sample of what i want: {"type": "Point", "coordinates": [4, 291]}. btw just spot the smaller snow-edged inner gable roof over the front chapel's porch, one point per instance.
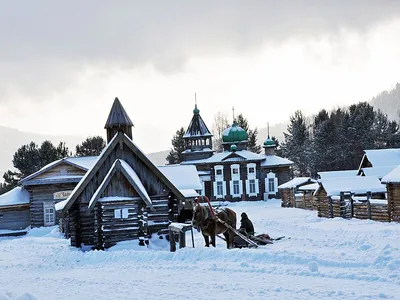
{"type": "Point", "coordinates": [130, 174]}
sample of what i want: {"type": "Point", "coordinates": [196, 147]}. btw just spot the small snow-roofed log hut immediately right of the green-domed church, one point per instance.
{"type": "Point", "coordinates": [289, 191]}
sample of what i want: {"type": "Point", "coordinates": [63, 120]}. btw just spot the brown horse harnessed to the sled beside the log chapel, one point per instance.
{"type": "Point", "coordinates": [204, 220]}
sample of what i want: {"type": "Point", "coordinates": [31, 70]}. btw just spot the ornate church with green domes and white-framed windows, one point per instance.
{"type": "Point", "coordinates": [236, 173]}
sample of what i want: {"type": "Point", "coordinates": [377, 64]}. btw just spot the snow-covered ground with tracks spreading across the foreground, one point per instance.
{"type": "Point", "coordinates": [323, 259]}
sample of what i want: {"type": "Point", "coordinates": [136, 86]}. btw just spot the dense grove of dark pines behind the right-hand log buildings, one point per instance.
{"type": "Point", "coordinates": [335, 140]}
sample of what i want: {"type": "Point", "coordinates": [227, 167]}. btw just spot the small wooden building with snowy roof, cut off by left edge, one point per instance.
{"type": "Point", "coordinates": [14, 212]}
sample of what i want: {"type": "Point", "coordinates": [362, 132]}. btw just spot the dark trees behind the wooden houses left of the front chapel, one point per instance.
{"type": "Point", "coordinates": [31, 157]}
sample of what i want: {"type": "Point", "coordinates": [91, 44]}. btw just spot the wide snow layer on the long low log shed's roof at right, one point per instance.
{"type": "Point", "coordinates": [355, 185]}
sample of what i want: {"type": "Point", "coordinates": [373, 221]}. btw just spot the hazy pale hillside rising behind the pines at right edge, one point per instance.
{"type": "Point", "coordinates": [389, 103]}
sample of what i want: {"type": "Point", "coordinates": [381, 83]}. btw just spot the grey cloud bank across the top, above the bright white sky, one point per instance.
{"type": "Point", "coordinates": [44, 43]}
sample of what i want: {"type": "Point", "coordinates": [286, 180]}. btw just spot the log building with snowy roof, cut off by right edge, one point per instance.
{"type": "Point", "coordinates": [392, 181]}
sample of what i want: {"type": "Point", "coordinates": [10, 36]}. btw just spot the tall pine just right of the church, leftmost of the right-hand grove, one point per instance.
{"type": "Point", "coordinates": [296, 143]}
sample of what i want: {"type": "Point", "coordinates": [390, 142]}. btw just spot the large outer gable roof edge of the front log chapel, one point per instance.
{"type": "Point", "coordinates": [117, 139]}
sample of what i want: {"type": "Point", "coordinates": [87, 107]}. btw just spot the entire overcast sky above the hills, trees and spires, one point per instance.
{"type": "Point", "coordinates": [62, 64]}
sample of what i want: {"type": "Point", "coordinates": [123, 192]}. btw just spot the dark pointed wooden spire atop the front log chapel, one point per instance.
{"type": "Point", "coordinates": [118, 121]}
